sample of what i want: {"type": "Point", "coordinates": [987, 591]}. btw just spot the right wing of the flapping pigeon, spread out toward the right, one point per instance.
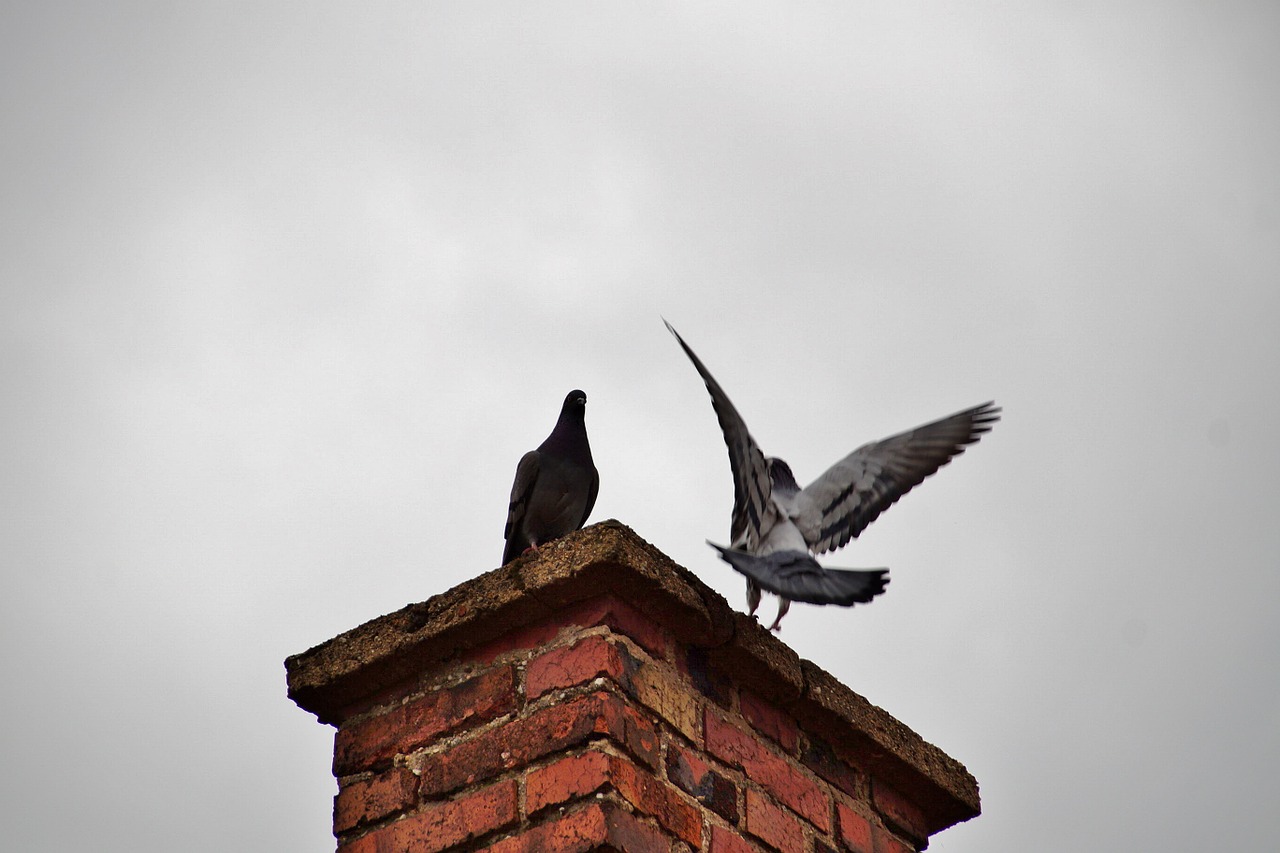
{"type": "Point", "coordinates": [853, 492]}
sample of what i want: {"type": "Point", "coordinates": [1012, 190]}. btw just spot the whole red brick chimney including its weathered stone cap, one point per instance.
{"type": "Point", "coordinates": [601, 697]}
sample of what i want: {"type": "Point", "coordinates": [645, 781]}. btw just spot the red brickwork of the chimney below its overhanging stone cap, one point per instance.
{"type": "Point", "coordinates": [597, 727]}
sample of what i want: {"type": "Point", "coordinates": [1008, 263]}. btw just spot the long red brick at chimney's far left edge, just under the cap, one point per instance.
{"type": "Point", "coordinates": [373, 742]}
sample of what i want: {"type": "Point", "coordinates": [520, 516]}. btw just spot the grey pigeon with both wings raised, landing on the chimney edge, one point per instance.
{"type": "Point", "coordinates": [778, 527]}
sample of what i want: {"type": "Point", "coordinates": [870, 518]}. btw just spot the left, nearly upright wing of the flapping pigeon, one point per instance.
{"type": "Point", "coordinates": [753, 509]}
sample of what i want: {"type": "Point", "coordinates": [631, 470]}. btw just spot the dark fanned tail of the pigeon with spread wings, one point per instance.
{"type": "Point", "coordinates": [797, 576]}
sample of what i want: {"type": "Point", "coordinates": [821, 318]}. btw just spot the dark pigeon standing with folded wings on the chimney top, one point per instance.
{"type": "Point", "coordinates": [556, 485]}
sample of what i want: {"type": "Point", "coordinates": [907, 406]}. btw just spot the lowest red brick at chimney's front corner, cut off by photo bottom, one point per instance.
{"type": "Point", "coordinates": [595, 827]}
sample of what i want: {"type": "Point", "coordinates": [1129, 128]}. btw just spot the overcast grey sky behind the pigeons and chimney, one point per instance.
{"type": "Point", "coordinates": [289, 289]}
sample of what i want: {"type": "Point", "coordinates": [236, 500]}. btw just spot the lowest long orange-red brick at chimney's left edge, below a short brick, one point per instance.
{"type": "Point", "coordinates": [444, 825]}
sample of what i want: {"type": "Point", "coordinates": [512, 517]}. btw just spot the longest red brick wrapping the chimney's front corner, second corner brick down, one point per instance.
{"type": "Point", "coordinates": [547, 731]}
